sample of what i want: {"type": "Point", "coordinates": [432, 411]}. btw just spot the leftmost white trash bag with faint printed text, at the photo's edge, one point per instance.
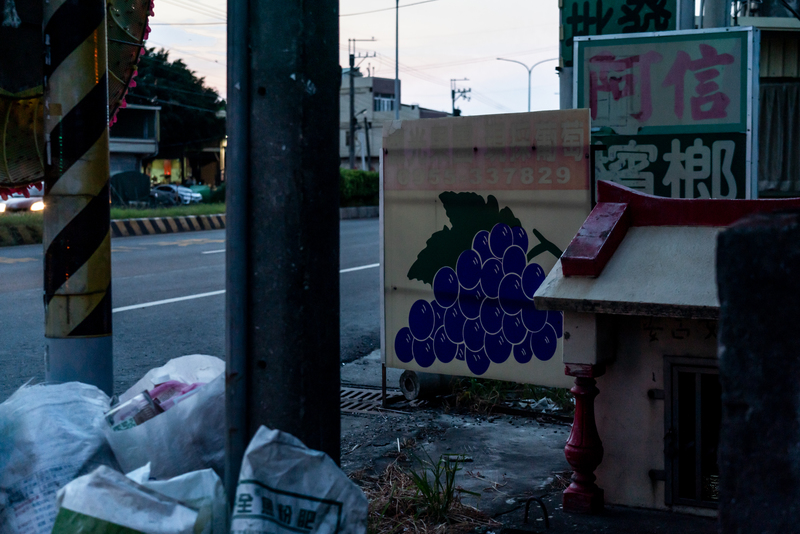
{"type": "Point", "coordinates": [49, 434]}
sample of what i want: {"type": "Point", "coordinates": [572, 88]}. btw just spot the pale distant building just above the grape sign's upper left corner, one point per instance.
{"type": "Point", "coordinates": [374, 101]}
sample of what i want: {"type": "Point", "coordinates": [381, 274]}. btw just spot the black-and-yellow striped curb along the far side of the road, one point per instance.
{"type": "Point", "coordinates": [29, 235]}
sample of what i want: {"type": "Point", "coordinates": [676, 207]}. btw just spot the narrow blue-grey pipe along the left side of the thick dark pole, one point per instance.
{"type": "Point", "coordinates": [237, 244]}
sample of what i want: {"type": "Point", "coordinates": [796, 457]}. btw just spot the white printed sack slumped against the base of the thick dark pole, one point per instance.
{"type": "Point", "coordinates": [285, 487]}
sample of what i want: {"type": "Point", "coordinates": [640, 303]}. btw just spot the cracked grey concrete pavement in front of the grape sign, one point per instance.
{"type": "Point", "coordinates": [511, 458]}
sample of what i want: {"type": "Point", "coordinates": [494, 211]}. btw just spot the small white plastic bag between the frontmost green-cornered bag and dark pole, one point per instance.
{"type": "Point", "coordinates": [200, 490]}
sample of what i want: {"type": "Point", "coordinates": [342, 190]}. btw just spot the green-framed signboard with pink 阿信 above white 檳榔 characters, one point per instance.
{"type": "Point", "coordinates": [662, 103]}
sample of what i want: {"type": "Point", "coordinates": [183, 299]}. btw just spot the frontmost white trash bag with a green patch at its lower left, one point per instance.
{"type": "Point", "coordinates": [108, 502]}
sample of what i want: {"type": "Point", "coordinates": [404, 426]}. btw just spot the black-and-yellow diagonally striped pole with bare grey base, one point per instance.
{"type": "Point", "coordinates": [77, 270]}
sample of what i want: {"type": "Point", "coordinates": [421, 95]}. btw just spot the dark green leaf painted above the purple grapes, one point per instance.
{"type": "Point", "coordinates": [469, 213]}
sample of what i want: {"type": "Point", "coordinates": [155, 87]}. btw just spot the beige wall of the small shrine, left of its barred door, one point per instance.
{"type": "Point", "coordinates": [630, 424]}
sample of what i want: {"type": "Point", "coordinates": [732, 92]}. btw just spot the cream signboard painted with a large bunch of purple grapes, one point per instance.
{"type": "Point", "coordinates": [474, 212]}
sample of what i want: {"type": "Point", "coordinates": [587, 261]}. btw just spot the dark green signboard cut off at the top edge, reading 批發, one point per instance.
{"type": "Point", "coordinates": [595, 17]}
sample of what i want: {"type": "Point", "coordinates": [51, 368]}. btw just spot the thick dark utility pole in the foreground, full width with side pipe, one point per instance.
{"type": "Point", "coordinates": [282, 239]}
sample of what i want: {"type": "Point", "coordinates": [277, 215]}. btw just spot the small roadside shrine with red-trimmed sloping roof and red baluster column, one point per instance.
{"type": "Point", "coordinates": [638, 289]}
